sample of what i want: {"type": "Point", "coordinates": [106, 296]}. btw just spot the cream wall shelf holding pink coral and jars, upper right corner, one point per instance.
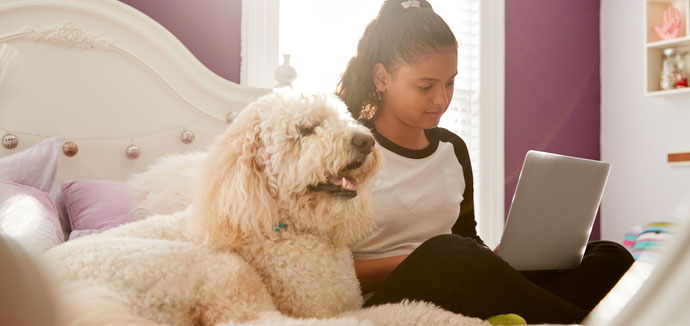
{"type": "Point", "coordinates": [655, 45]}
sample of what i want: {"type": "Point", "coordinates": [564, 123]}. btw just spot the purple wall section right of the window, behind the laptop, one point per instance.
{"type": "Point", "coordinates": [552, 97]}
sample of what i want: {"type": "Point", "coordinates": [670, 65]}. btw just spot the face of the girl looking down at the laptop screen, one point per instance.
{"type": "Point", "coordinates": [417, 94]}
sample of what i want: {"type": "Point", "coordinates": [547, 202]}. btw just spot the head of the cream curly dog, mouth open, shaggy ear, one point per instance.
{"type": "Point", "coordinates": [288, 165]}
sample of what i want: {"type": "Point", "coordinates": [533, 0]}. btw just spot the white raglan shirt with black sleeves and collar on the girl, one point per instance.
{"type": "Point", "coordinates": [419, 194]}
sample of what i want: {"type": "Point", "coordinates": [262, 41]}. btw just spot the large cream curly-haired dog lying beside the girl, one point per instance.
{"type": "Point", "coordinates": [278, 198]}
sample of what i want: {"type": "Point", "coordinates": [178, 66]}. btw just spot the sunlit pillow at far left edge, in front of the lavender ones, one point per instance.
{"type": "Point", "coordinates": [28, 216]}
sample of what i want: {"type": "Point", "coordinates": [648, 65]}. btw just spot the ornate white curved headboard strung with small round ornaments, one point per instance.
{"type": "Point", "coordinates": [105, 76]}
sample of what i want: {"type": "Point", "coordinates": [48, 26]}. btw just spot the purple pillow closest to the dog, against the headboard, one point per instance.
{"type": "Point", "coordinates": [96, 205]}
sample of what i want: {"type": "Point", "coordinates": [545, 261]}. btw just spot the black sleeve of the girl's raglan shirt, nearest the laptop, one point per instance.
{"type": "Point", "coordinates": [465, 225]}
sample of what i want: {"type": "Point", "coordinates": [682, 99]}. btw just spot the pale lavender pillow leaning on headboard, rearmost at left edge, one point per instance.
{"type": "Point", "coordinates": [35, 166]}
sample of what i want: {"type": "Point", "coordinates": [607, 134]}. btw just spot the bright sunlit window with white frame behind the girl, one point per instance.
{"type": "Point", "coordinates": [321, 37]}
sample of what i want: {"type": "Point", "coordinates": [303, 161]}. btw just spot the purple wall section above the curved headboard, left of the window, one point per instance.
{"type": "Point", "coordinates": [210, 29]}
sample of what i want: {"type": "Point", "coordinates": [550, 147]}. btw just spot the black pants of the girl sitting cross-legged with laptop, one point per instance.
{"type": "Point", "coordinates": [460, 275]}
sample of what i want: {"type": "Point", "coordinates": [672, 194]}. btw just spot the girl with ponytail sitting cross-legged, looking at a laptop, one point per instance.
{"type": "Point", "coordinates": [426, 246]}
